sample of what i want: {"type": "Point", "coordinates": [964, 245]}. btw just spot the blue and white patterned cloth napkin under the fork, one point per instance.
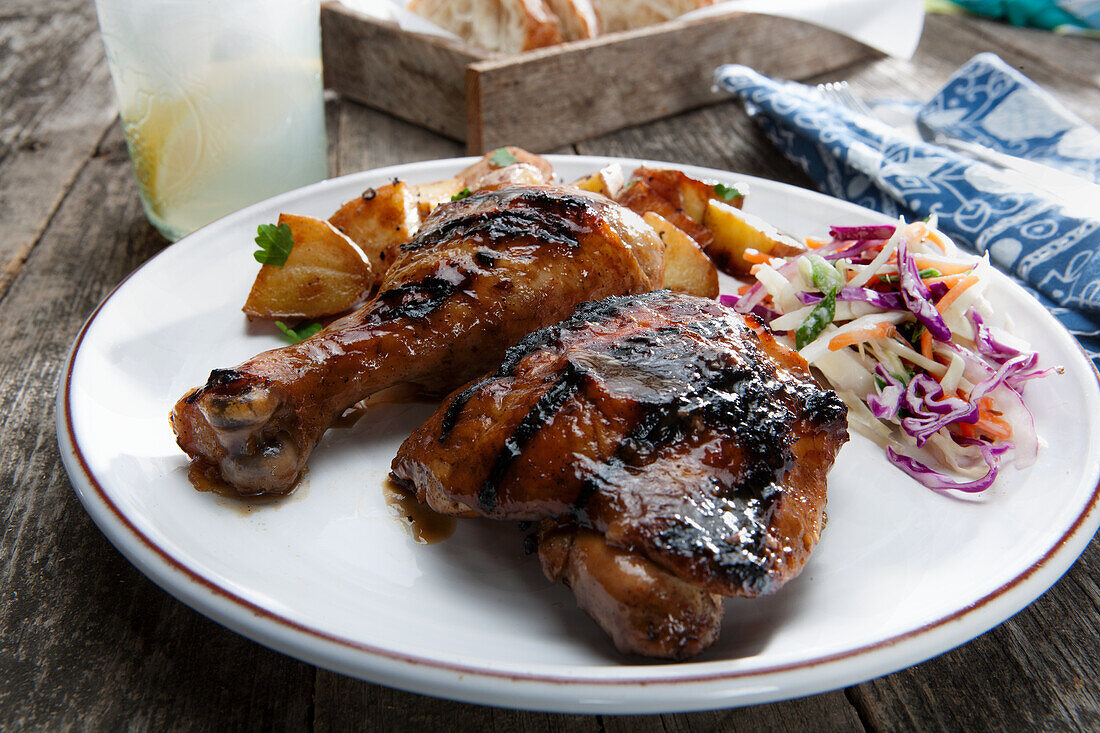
{"type": "Point", "coordinates": [1051, 249]}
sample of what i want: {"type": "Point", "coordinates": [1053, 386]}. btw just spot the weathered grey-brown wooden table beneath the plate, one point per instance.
{"type": "Point", "coordinates": [87, 641]}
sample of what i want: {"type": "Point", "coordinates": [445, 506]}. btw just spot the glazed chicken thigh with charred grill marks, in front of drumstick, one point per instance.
{"type": "Point", "coordinates": [674, 451]}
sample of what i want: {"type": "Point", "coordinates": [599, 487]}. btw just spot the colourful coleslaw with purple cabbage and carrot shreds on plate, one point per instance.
{"type": "Point", "coordinates": [896, 320]}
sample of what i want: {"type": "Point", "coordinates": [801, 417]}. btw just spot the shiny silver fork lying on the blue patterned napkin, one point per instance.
{"type": "Point", "coordinates": [1073, 191]}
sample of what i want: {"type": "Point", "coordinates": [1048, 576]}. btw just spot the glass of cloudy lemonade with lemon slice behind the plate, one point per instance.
{"type": "Point", "coordinates": [222, 102]}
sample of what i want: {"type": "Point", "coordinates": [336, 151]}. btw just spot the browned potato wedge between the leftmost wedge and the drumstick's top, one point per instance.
{"type": "Point", "coordinates": [380, 222]}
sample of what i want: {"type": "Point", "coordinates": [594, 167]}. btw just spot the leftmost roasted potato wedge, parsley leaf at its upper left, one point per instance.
{"type": "Point", "coordinates": [325, 275]}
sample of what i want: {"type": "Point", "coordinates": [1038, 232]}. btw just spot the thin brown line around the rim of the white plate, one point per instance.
{"type": "Point", "coordinates": [289, 623]}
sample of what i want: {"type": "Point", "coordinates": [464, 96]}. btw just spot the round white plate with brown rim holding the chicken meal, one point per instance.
{"type": "Point", "coordinates": [333, 577]}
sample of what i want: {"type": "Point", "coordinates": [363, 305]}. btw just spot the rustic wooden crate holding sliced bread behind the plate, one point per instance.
{"type": "Point", "coordinates": [552, 97]}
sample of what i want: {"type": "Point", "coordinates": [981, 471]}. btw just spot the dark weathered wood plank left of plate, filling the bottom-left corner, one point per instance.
{"type": "Point", "coordinates": [86, 641]}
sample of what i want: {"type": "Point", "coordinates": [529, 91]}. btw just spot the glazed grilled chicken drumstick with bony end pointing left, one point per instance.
{"type": "Point", "coordinates": [480, 275]}
